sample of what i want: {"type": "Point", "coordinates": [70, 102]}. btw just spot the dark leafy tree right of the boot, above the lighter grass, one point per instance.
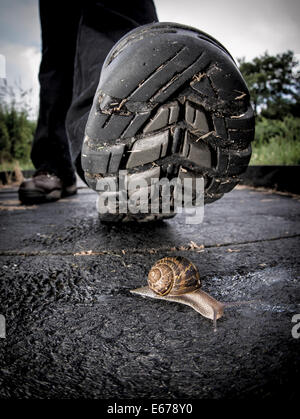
{"type": "Point", "coordinates": [274, 84]}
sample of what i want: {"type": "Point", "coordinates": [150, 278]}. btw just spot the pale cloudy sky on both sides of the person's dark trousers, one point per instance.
{"type": "Point", "coordinates": [246, 28]}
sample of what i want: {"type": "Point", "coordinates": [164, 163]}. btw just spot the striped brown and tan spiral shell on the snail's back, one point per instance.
{"type": "Point", "coordinates": [173, 276]}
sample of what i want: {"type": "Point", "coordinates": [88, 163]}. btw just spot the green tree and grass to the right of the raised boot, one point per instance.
{"type": "Point", "coordinates": [274, 85]}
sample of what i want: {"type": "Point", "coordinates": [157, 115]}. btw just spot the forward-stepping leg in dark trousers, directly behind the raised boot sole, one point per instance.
{"type": "Point", "coordinates": [102, 24]}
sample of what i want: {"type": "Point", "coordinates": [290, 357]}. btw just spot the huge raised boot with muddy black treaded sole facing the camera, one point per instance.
{"type": "Point", "coordinates": [171, 102]}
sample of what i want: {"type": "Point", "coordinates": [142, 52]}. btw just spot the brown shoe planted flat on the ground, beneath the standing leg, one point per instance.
{"type": "Point", "coordinates": [44, 187]}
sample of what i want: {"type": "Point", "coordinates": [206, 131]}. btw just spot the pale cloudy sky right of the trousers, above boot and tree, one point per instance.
{"type": "Point", "coordinates": [245, 28]}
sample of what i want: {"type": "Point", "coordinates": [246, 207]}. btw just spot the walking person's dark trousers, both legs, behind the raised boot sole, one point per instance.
{"type": "Point", "coordinates": [75, 42]}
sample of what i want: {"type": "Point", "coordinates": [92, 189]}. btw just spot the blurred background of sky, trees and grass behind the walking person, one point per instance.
{"type": "Point", "coordinates": [262, 36]}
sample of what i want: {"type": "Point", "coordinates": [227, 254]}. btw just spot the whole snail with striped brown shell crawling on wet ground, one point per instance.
{"type": "Point", "coordinates": [177, 279]}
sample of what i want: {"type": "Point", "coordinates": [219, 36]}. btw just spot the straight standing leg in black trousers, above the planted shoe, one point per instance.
{"type": "Point", "coordinates": [50, 150]}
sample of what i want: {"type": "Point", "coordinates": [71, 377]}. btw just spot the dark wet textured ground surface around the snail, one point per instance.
{"type": "Point", "coordinates": [74, 330]}
